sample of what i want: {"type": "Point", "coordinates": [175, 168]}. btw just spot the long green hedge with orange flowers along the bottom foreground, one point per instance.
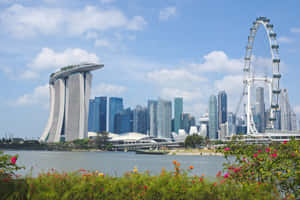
{"type": "Point", "coordinates": [177, 184]}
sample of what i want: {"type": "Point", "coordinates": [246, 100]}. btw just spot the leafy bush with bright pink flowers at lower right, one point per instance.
{"type": "Point", "coordinates": [277, 164]}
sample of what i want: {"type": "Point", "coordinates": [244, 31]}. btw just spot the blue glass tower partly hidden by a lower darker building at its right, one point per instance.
{"type": "Point", "coordinates": [115, 107]}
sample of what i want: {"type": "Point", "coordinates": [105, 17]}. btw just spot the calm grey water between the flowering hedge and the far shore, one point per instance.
{"type": "Point", "coordinates": [113, 163]}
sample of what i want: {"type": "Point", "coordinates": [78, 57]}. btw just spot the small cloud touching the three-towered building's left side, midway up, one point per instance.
{"type": "Point", "coordinates": [40, 96]}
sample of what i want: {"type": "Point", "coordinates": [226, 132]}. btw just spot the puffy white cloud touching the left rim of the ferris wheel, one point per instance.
{"type": "Point", "coordinates": [218, 61]}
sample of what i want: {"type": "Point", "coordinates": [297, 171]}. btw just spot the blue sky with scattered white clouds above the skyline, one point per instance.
{"type": "Point", "coordinates": [150, 49]}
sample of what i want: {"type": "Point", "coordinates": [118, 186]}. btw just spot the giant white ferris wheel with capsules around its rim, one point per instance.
{"type": "Point", "coordinates": [271, 81]}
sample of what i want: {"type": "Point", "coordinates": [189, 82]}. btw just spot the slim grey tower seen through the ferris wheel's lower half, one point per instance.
{"type": "Point", "coordinates": [260, 110]}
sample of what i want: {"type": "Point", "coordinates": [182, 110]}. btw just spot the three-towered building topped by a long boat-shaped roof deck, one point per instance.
{"type": "Point", "coordinates": [69, 103]}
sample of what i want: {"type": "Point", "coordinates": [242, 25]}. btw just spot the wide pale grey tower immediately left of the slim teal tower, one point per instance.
{"type": "Point", "coordinates": [164, 118]}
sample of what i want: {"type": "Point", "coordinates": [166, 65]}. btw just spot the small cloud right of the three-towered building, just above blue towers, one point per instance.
{"type": "Point", "coordinates": [105, 89]}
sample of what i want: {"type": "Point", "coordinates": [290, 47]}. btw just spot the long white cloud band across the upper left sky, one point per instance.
{"type": "Point", "coordinates": [21, 21]}
